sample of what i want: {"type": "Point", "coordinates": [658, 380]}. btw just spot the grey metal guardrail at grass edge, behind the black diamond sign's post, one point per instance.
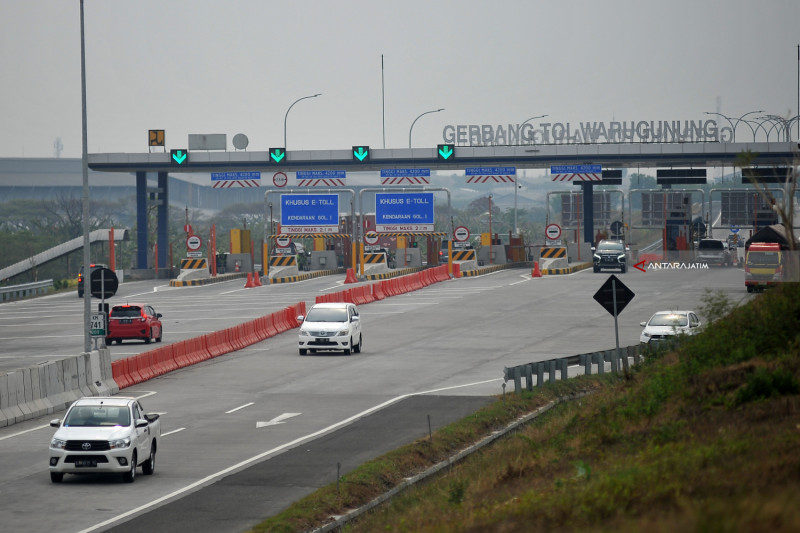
{"type": "Point", "coordinates": [561, 365]}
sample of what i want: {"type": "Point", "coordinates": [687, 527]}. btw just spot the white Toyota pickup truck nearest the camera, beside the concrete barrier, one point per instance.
{"type": "Point", "coordinates": [110, 435]}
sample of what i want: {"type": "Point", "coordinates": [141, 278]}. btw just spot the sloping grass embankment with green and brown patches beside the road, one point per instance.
{"type": "Point", "coordinates": [705, 438]}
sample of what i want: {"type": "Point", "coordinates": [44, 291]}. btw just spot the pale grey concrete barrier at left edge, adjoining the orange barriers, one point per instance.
{"type": "Point", "coordinates": [52, 386]}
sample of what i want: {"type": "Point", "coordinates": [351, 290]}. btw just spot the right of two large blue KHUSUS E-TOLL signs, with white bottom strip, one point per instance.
{"type": "Point", "coordinates": [411, 212]}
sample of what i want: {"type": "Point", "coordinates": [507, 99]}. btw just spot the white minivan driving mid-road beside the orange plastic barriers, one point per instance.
{"type": "Point", "coordinates": [330, 326]}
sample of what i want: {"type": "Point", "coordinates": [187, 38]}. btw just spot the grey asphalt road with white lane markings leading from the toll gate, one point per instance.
{"type": "Point", "coordinates": [439, 351]}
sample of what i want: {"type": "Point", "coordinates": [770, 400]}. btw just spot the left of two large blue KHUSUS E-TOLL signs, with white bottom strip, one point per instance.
{"type": "Point", "coordinates": [309, 213]}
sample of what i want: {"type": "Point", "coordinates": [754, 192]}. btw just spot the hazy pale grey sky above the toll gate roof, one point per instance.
{"type": "Point", "coordinates": [235, 66]}
